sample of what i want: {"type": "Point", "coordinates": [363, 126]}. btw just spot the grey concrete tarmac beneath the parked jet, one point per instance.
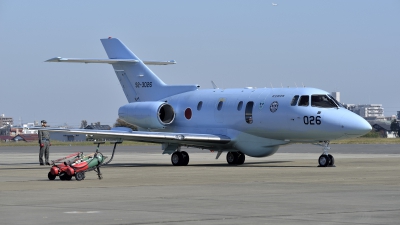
{"type": "Point", "coordinates": [141, 186]}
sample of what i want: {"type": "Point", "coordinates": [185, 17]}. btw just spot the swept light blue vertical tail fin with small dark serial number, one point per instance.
{"type": "Point", "coordinates": [137, 80]}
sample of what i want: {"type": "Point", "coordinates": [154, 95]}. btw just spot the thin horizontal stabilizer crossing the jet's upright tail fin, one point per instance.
{"type": "Point", "coordinates": [110, 61]}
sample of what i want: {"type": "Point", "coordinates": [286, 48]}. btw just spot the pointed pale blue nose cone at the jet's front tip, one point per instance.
{"type": "Point", "coordinates": [354, 125]}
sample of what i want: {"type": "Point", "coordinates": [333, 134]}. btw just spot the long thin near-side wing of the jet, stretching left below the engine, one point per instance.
{"type": "Point", "coordinates": [187, 139]}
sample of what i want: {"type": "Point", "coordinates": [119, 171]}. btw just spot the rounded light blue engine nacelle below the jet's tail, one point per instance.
{"type": "Point", "coordinates": [148, 115]}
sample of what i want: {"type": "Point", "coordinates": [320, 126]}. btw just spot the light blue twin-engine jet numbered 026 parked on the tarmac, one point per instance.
{"type": "Point", "coordinates": [243, 122]}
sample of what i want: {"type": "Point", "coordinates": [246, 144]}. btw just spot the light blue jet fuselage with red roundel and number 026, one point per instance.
{"type": "Point", "coordinates": [259, 120]}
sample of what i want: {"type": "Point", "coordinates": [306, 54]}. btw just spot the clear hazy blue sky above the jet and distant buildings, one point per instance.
{"type": "Point", "coordinates": [348, 46]}
